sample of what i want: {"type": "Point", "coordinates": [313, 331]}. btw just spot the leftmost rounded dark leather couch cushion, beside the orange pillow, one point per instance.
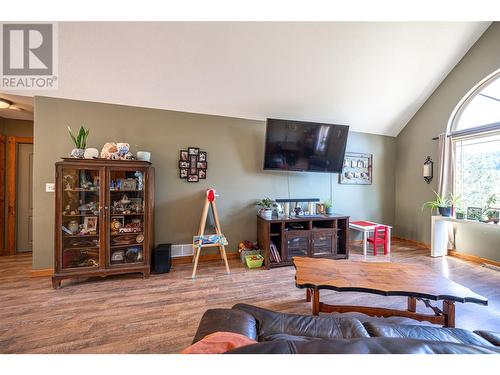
{"type": "Point", "coordinates": [226, 320]}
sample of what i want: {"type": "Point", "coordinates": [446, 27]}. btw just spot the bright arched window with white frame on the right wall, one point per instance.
{"type": "Point", "coordinates": [475, 130]}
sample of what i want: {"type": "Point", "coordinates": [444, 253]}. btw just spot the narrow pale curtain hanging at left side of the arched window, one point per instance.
{"type": "Point", "coordinates": [446, 175]}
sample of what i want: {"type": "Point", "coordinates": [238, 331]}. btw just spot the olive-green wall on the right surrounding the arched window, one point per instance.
{"type": "Point", "coordinates": [414, 144]}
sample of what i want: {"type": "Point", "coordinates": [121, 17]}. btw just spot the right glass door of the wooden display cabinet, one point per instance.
{"type": "Point", "coordinates": [126, 219]}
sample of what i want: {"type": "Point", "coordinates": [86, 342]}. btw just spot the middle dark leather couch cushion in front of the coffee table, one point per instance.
{"type": "Point", "coordinates": [270, 323]}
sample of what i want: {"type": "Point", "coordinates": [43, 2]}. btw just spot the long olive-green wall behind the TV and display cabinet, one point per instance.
{"type": "Point", "coordinates": [235, 158]}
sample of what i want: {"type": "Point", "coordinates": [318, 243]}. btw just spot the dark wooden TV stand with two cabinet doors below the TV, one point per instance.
{"type": "Point", "coordinates": [319, 236]}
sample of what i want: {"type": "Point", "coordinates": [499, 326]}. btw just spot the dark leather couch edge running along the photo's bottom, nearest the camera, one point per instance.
{"type": "Point", "coordinates": [373, 345]}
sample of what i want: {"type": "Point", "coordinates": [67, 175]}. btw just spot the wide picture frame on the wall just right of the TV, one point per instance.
{"type": "Point", "coordinates": [357, 169]}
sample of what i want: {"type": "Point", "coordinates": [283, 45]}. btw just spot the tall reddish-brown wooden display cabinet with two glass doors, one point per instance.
{"type": "Point", "coordinates": [104, 218]}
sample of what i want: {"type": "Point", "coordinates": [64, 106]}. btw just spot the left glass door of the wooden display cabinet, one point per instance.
{"type": "Point", "coordinates": [80, 218]}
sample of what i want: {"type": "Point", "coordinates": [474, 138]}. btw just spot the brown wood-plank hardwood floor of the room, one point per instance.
{"type": "Point", "coordinates": [128, 314]}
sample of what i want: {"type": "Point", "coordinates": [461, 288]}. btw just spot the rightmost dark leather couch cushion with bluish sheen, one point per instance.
{"type": "Point", "coordinates": [455, 335]}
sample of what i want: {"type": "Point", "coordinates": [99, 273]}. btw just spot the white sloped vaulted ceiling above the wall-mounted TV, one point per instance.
{"type": "Point", "coordinates": [372, 76]}
